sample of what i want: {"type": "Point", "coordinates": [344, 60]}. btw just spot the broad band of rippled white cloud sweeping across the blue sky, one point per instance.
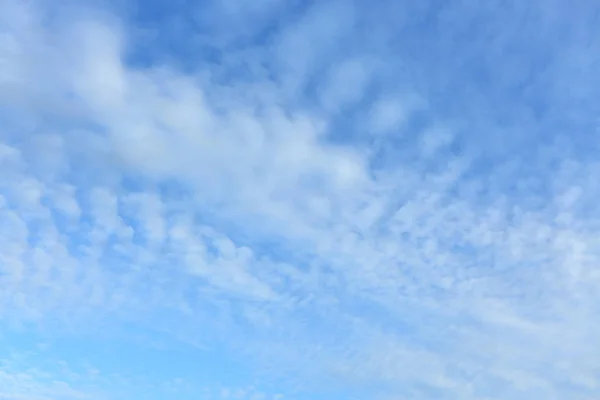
{"type": "Point", "coordinates": [448, 269]}
